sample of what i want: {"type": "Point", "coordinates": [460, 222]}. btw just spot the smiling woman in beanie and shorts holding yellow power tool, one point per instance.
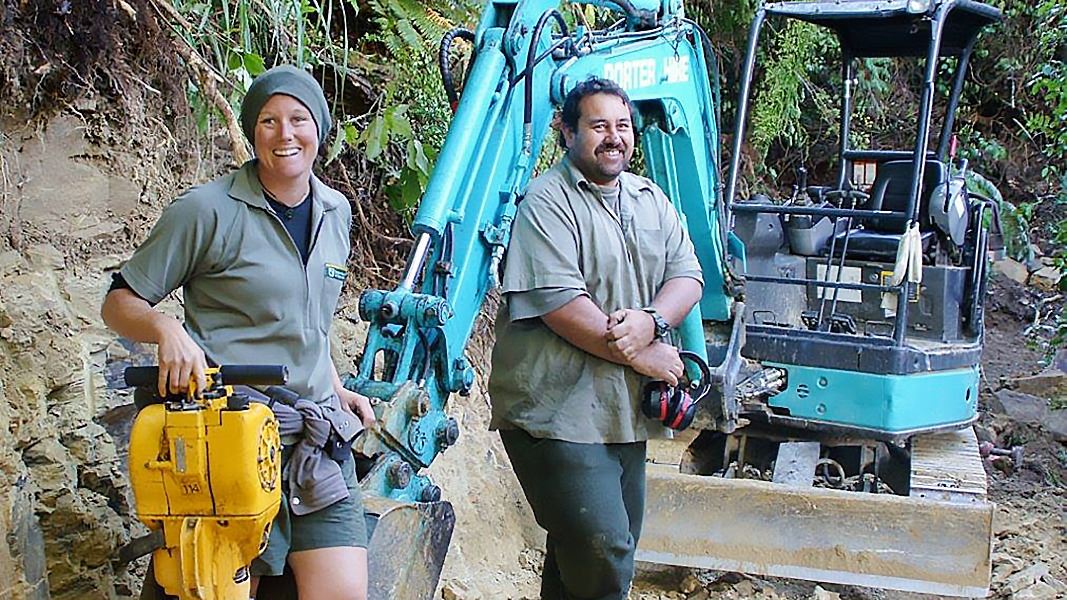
{"type": "Point", "coordinates": [261, 255]}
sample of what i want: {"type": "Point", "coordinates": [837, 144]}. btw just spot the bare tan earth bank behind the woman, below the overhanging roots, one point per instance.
{"type": "Point", "coordinates": [78, 195]}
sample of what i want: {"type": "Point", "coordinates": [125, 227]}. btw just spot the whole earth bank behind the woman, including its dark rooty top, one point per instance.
{"type": "Point", "coordinates": [91, 149]}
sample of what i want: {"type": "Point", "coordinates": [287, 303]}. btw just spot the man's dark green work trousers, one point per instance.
{"type": "Point", "coordinates": [591, 499]}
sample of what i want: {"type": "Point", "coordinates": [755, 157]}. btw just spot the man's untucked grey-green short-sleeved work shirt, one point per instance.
{"type": "Point", "coordinates": [568, 242]}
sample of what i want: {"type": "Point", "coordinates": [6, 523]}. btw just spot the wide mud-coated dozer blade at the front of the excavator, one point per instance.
{"type": "Point", "coordinates": [922, 543]}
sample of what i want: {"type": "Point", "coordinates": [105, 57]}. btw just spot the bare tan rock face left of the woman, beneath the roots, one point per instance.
{"type": "Point", "coordinates": [71, 208]}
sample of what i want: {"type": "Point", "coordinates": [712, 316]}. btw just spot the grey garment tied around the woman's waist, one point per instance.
{"type": "Point", "coordinates": [315, 480]}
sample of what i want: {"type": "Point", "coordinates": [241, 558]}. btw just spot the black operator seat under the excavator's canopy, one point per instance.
{"type": "Point", "coordinates": [877, 239]}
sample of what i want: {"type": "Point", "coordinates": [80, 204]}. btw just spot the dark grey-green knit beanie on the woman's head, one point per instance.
{"type": "Point", "coordinates": [292, 82]}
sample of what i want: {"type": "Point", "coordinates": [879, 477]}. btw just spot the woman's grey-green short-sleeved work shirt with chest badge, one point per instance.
{"type": "Point", "coordinates": [249, 298]}
